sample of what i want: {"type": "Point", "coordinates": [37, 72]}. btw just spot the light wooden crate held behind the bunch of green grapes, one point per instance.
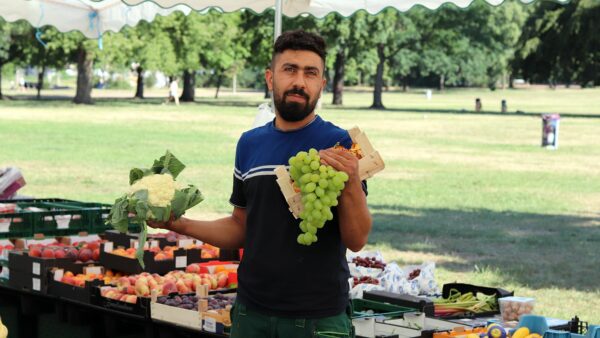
{"type": "Point", "coordinates": [370, 164]}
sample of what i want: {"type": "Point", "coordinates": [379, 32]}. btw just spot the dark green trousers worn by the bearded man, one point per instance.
{"type": "Point", "coordinates": [251, 324]}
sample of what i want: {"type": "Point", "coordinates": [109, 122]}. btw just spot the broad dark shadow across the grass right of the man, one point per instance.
{"type": "Point", "coordinates": [538, 250]}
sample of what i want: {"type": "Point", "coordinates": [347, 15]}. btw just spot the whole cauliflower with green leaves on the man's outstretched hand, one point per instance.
{"type": "Point", "coordinates": [153, 195]}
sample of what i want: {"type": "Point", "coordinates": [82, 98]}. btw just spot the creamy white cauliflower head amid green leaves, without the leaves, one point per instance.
{"type": "Point", "coordinates": [161, 188]}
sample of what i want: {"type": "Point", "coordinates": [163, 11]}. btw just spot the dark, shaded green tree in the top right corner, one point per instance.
{"type": "Point", "coordinates": [561, 43]}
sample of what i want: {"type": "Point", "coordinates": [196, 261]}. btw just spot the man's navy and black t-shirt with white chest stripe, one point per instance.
{"type": "Point", "coordinates": [278, 276]}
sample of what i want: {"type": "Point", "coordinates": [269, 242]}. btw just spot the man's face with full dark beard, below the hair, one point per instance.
{"type": "Point", "coordinates": [296, 79]}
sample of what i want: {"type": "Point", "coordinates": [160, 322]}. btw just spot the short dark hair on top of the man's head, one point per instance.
{"type": "Point", "coordinates": [299, 40]}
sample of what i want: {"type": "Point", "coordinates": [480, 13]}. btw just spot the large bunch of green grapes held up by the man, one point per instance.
{"type": "Point", "coordinates": [320, 186]}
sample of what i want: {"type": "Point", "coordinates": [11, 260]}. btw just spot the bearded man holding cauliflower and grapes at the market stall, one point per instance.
{"type": "Point", "coordinates": [289, 290]}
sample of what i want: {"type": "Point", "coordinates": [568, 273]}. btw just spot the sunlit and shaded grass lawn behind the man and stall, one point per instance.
{"type": "Point", "coordinates": [473, 192]}
